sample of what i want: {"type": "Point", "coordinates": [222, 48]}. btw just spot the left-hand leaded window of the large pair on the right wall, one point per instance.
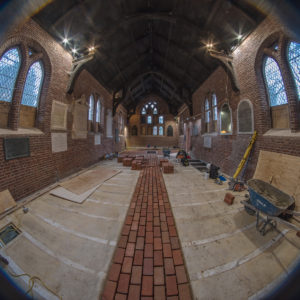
{"type": "Point", "coordinates": [274, 82]}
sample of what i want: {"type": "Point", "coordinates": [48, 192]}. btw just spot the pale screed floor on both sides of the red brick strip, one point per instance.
{"type": "Point", "coordinates": [71, 246]}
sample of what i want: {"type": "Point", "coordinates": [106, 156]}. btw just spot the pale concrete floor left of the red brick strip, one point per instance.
{"type": "Point", "coordinates": [69, 245]}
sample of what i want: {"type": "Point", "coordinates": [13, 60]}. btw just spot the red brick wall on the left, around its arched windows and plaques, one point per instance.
{"type": "Point", "coordinates": [24, 176]}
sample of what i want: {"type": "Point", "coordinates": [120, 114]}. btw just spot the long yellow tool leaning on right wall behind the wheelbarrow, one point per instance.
{"type": "Point", "coordinates": [234, 183]}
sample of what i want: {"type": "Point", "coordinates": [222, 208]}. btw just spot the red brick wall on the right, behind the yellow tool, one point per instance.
{"type": "Point", "coordinates": [227, 150]}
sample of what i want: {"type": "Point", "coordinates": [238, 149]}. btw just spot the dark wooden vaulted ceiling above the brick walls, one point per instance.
{"type": "Point", "coordinates": [150, 46]}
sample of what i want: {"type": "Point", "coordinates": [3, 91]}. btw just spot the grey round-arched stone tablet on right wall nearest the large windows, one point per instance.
{"type": "Point", "coordinates": [245, 117]}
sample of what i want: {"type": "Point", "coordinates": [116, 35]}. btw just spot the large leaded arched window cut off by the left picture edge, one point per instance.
{"type": "Point", "coordinates": [9, 68]}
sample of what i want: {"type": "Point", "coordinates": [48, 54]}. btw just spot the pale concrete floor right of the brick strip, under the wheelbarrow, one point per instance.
{"type": "Point", "coordinates": [226, 257]}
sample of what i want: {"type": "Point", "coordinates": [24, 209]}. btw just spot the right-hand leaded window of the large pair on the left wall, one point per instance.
{"type": "Point", "coordinates": [33, 84]}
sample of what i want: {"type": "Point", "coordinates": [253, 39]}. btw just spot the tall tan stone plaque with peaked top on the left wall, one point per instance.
{"type": "Point", "coordinates": [80, 113]}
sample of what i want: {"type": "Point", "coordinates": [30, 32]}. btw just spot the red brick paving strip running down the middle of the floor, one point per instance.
{"type": "Point", "coordinates": [148, 262]}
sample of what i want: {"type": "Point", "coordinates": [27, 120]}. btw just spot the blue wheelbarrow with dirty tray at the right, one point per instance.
{"type": "Point", "coordinates": [274, 203]}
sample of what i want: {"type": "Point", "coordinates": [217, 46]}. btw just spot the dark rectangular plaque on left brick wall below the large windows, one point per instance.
{"type": "Point", "coordinates": [16, 147]}
